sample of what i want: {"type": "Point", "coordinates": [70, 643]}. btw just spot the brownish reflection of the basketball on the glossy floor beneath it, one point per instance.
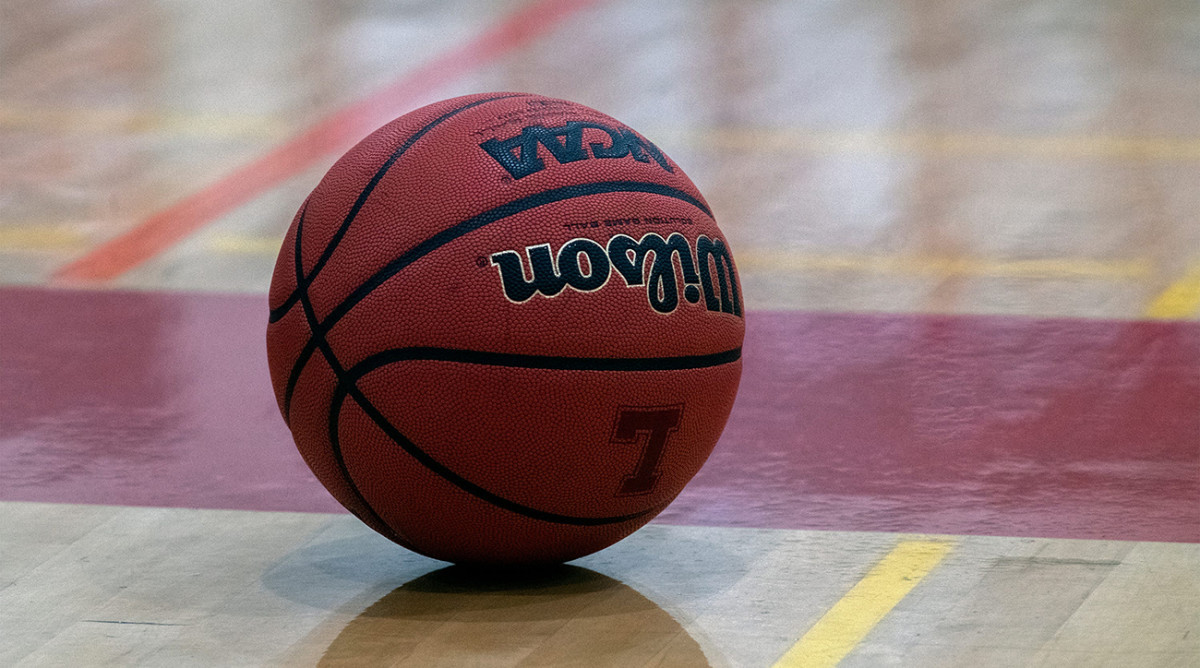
{"type": "Point", "coordinates": [569, 615]}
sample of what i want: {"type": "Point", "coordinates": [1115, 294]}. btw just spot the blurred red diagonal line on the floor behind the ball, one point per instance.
{"type": "Point", "coordinates": [332, 136]}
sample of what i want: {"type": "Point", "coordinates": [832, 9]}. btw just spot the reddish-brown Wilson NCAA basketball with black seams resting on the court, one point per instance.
{"type": "Point", "coordinates": [506, 329]}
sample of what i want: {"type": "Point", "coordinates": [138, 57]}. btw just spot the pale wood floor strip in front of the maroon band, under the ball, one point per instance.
{"type": "Point", "coordinates": [121, 586]}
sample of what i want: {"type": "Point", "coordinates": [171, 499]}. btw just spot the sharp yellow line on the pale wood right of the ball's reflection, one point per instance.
{"type": "Point", "coordinates": [851, 619]}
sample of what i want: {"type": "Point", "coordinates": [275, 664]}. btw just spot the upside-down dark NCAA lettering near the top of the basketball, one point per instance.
{"type": "Point", "coordinates": [519, 155]}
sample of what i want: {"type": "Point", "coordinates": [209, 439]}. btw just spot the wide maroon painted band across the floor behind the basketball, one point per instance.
{"type": "Point", "coordinates": [952, 425]}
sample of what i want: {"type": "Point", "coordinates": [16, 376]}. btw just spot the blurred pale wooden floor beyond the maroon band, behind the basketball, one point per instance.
{"type": "Point", "coordinates": [1029, 158]}
